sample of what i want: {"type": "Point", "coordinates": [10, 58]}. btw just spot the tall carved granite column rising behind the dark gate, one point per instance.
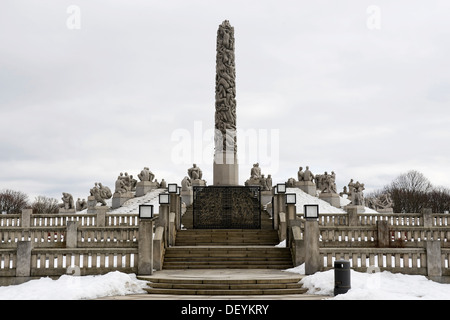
{"type": "Point", "coordinates": [225, 168]}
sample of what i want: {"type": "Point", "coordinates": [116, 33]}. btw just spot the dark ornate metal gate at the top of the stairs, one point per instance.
{"type": "Point", "coordinates": [227, 207]}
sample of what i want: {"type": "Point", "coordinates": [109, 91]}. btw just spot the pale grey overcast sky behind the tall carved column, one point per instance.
{"type": "Point", "coordinates": [89, 89]}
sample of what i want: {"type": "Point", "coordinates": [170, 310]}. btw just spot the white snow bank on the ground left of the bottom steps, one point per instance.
{"type": "Point", "coordinates": [75, 288]}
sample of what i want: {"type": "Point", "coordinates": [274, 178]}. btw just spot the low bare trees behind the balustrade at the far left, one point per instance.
{"type": "Point", "coordinates": [12, 202]}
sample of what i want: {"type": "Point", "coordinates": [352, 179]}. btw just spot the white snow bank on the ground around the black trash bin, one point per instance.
{"type": "Point", "coordinates": [376, 286]}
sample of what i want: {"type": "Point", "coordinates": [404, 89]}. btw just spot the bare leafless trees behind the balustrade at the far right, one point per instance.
{"type": "Point", "coordinates": [411, 192]}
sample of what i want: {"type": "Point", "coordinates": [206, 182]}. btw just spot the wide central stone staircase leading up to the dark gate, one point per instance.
{"type": "Point", "coordinates": [226, 262]}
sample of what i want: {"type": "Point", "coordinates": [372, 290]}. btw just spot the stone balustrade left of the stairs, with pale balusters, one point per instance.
{"type": "Point", "coordinates": [83, 244]}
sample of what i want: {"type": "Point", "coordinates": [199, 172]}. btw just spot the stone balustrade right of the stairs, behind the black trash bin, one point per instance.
{"type": "Point", "coordinates": [406, 243]}
